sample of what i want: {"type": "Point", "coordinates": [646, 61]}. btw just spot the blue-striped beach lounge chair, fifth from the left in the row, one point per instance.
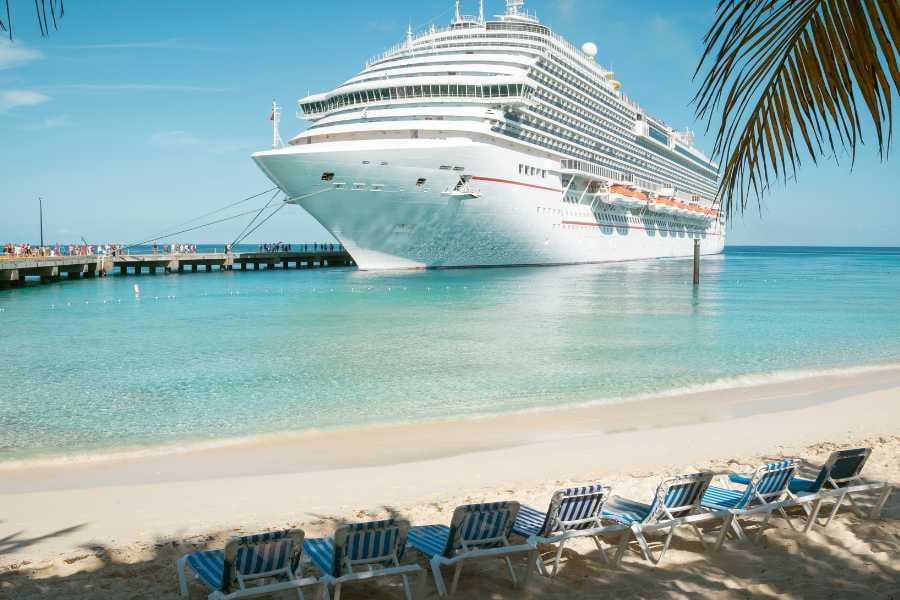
{"type": "Point", "coordinates": [675, 504]}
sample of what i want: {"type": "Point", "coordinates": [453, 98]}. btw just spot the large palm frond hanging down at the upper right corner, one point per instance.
{"type": "Point", "coordinates": [785, 80]}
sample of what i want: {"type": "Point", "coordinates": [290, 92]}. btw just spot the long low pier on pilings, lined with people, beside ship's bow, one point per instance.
{"type": "Point", "coordinates": [16, 270]}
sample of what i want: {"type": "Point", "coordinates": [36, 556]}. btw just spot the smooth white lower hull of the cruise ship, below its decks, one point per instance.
{"type": "Point", "coordinates": [375, 208]}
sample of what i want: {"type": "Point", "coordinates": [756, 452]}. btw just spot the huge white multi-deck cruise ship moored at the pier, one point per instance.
{"type": "Point", "coordinates": [495, 142]}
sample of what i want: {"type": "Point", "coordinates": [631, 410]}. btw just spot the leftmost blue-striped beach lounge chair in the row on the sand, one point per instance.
{"type": "Point", "coordinates": [252, 559]}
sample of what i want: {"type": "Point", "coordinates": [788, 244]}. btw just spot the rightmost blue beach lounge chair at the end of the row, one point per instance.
{"type": "Point", "coordinates": [838, 479]}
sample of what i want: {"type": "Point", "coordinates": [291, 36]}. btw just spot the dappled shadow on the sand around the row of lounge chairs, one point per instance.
{"type": "Point", "coordinates": [855, 557]}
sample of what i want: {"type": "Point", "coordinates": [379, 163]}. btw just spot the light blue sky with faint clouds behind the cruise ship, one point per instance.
{"type": "Point", "coordinates": [136, 116]}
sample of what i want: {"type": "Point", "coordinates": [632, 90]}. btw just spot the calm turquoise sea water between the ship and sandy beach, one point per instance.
{"type": "Point", "coordinates": [86, 367]}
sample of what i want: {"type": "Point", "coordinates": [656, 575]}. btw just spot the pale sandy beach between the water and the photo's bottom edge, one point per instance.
{"type": "Point", "coordinates": [113, 528]}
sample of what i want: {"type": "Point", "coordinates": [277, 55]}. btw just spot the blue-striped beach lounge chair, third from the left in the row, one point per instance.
{"type": "Point", "coordinates": [475, 531]}
